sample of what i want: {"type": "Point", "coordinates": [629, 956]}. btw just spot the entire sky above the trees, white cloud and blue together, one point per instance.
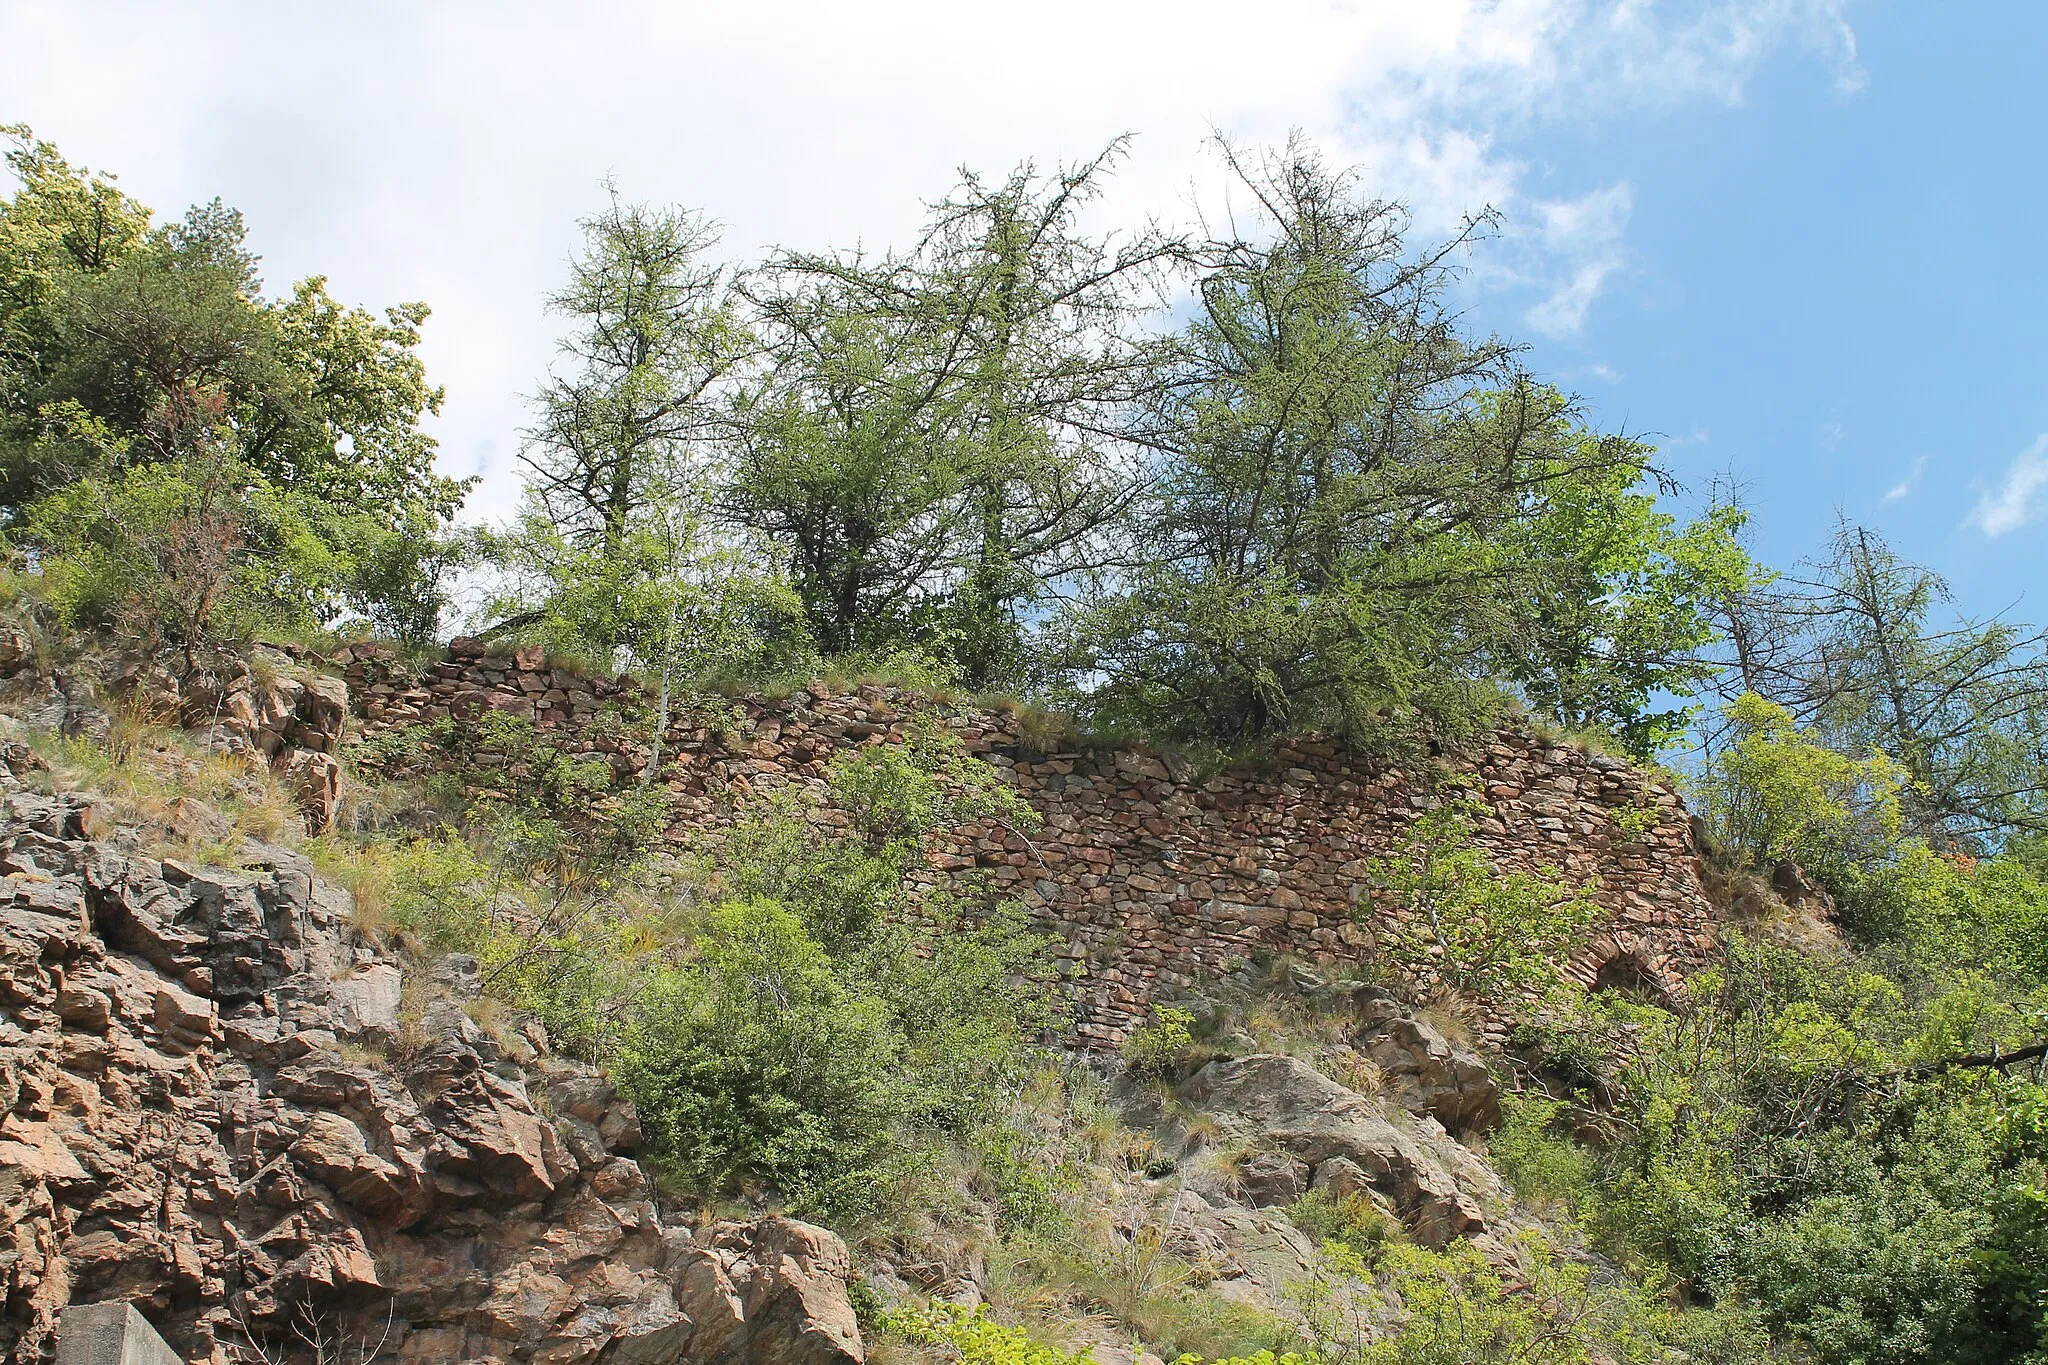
{"type": "Point", "coordinates": [1797, 238]}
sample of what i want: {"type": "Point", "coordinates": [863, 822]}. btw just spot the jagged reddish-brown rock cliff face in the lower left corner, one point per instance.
{"type": "Point", "coordinates": [224, 1106]}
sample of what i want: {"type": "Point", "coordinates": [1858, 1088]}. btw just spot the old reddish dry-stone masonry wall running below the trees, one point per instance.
{"type": "Point", "coordinates": [1154, 881]}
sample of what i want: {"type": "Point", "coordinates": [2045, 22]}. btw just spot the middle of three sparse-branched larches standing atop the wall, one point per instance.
{"type": "Point", "coordinates": [933, 441]}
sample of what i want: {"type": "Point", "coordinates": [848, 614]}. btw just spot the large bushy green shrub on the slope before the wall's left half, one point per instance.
{"type": "Point", "coordinates": [822, 1037]}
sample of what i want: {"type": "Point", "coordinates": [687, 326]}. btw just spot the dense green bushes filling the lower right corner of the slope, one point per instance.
{"type": "Point", "coordinates": [1783, 1151]}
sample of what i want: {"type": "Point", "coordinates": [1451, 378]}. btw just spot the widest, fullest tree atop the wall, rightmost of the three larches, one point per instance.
{"type": "Point", "coordinates": [1361, 511]}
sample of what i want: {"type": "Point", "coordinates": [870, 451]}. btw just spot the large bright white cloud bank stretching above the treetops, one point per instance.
{"type": "Point", "coordinates": [443, 152]}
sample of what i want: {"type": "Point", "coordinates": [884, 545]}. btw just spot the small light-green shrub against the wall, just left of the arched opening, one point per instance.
{"type": "Point", "coordinates": [1467, 928]}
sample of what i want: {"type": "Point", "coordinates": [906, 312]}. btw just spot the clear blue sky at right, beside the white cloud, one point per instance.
{"type": "Point", "coordinates": [1836, 290]}
